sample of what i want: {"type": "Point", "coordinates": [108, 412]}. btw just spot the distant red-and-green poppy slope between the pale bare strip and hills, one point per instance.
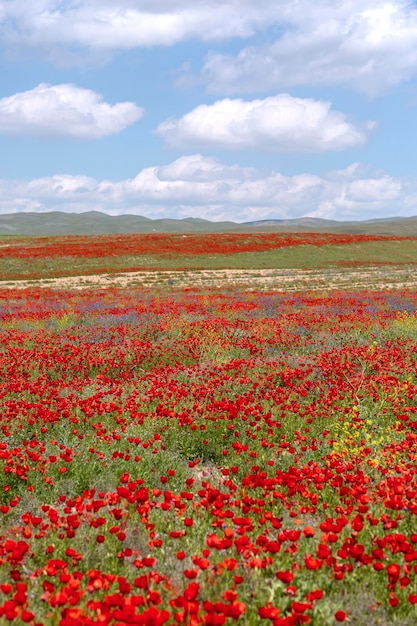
{"type": "Point", "coordinates": [50, 257]}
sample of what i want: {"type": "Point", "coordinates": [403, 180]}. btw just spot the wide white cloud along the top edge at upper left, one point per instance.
{"type": "Point", "coordinates": [130, 23]}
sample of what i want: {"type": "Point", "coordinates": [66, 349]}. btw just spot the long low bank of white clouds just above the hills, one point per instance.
{"type": "Point", "coordinates": [196, 186]}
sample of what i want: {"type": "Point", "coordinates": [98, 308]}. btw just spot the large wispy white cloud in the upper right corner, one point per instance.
{"type": "Point", "coordinates": [367, 44]}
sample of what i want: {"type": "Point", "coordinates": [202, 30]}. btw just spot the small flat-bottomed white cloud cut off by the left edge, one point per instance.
{"type": "Point", "coordinates": [64, 111]}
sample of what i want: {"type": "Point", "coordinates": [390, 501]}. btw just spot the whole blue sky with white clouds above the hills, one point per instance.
{"type": "Point", "coordinates": [235, 110]}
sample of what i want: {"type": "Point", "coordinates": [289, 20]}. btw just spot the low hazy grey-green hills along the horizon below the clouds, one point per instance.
{"type": "Point", "coordinates": [96, 223]}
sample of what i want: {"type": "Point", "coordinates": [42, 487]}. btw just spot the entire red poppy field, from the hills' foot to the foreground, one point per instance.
{"type": "Point", "coordinates": [184, 444]}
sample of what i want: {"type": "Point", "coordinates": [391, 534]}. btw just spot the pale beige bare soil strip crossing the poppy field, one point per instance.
{"type": "Point", "coordinates": [385, 277]}
